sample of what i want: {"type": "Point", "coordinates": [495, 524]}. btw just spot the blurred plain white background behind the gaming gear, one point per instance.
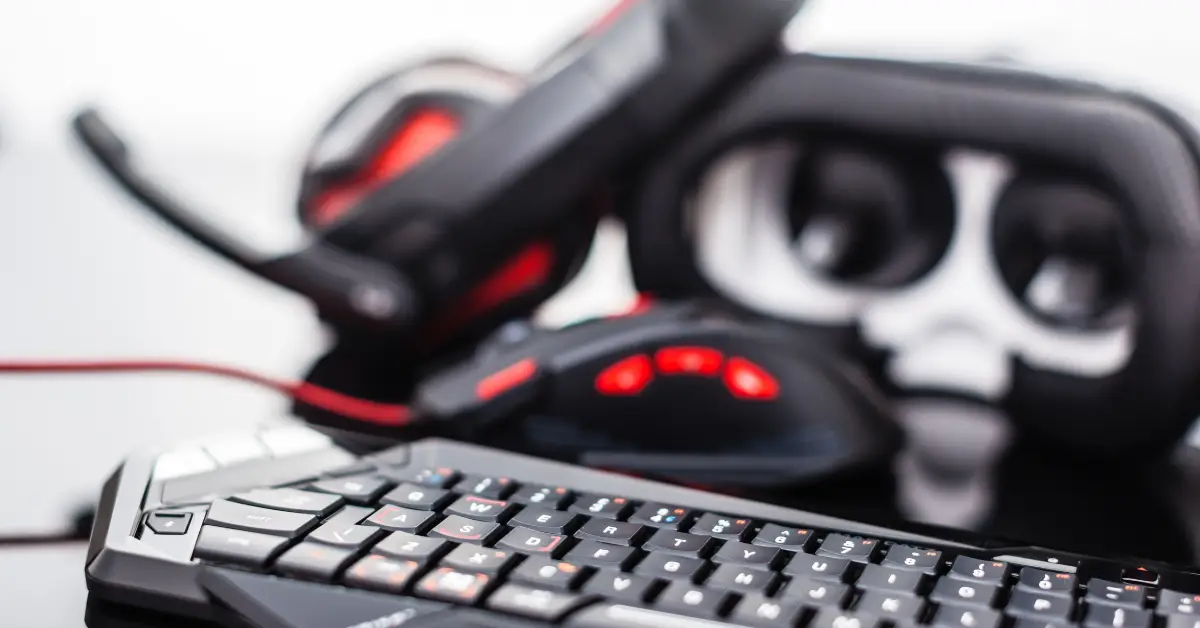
{"type": "Point", "coordinates": [223, 99]}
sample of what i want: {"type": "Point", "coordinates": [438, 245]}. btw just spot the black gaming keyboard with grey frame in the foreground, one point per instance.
{"type": "Point", "coordinates": [283, 529]}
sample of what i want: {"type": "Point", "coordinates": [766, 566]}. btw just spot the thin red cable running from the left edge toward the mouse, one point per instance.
{"type": "Point", "coordinates": [311, 394]}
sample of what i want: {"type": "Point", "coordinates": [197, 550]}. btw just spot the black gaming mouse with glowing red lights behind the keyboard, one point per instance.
{"type": "Point", "coordinates": [686, 392]}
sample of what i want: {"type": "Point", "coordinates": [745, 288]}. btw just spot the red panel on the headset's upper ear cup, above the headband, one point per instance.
{"type": "Point", "coordinates": [419, 137]}
